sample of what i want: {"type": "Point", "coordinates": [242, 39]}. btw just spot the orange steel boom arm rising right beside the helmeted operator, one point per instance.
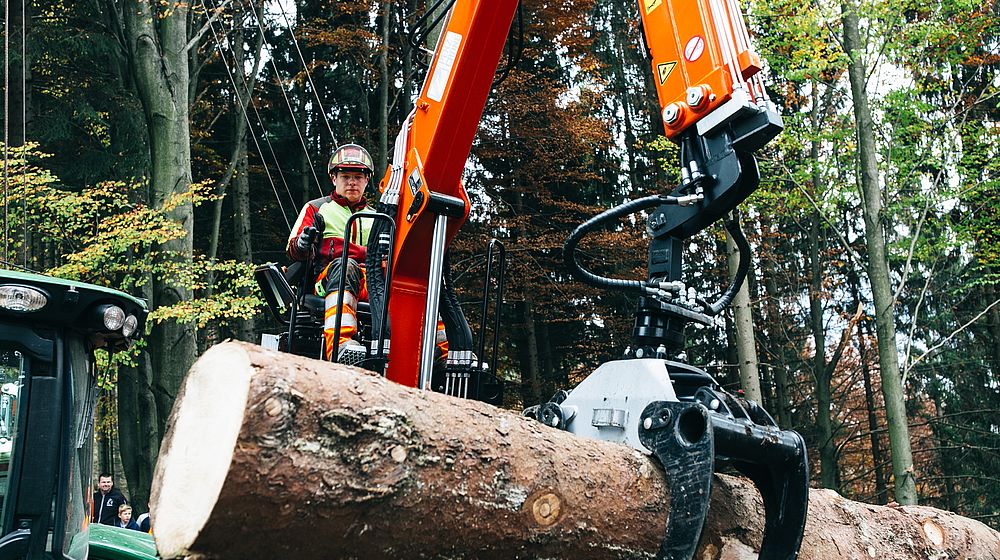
{"type": "Point", "coordinates": [447, 116]}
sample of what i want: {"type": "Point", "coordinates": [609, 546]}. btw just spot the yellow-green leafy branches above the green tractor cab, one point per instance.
{"type": "Point", "coordinates": [105, 235]}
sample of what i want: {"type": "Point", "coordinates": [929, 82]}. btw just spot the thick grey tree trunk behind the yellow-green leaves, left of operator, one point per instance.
{"type": "Point", "coordinates": [157, 41]}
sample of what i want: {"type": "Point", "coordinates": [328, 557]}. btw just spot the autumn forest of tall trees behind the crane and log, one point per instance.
{"type": "Point", "coordinates": [164, 148]}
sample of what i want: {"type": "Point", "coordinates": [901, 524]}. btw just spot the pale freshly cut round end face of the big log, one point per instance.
{"type": "Point", "coordinates": [198, 448]}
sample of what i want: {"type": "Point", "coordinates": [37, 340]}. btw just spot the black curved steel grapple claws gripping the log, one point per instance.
{"type": "Point", "coordinates": [689, 438]}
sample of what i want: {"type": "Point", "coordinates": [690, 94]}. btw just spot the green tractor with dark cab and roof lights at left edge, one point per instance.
{"type": "Point", "coordinates": [49, 330]}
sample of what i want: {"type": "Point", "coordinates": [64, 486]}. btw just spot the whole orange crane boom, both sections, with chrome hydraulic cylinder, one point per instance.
{"type": "Point", "coordinates": [705, 70]}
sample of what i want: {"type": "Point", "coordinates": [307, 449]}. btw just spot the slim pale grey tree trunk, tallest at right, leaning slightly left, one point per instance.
{"type": "Point", "coordinates": [878, 267]}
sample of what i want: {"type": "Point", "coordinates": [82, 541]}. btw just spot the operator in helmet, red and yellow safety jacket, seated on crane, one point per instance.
{"type": "Point", "coordinates": [350, 170]}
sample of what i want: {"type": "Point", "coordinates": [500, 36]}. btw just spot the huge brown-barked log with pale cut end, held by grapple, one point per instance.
{"type": "Point", "coordinates": [270, 455]}
